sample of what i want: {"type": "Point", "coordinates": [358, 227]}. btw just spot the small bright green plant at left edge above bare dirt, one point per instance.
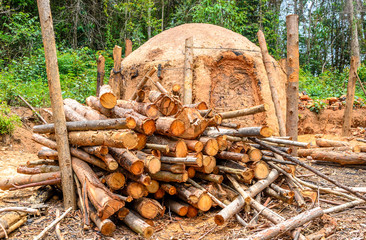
{"type": "Point", "coordinates": [8, 122]}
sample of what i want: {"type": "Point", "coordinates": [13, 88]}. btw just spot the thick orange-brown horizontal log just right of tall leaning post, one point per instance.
{"type": "Point", "coordinates": [119, 138]}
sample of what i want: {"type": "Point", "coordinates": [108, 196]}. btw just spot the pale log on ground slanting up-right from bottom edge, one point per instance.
{"type": "Point", "coordinates": [290, 224]}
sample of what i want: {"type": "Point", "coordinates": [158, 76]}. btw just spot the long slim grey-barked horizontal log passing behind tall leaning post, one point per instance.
{"type": "Point", "coordinates": [120, 123]}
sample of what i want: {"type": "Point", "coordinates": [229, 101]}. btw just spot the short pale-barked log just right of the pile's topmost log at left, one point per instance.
{"type": "Point", "coordinates": [147, 109]}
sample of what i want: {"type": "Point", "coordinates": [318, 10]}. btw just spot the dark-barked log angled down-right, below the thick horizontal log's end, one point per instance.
{"type": "Point", "coordinates": [128, 160]}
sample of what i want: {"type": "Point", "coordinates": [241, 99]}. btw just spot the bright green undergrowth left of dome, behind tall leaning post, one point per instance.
{"type": "Point", "coordinates": [27, 76]}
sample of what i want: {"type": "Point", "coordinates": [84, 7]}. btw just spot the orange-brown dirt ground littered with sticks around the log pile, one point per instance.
{"type": "Point", "coordinates": [351, 224]}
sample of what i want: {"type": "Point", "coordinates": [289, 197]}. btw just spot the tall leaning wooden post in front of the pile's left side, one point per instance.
{"type": "Point", "coordinates": [48, 35]}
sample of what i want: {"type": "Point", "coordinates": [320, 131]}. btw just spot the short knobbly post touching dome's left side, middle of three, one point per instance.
{"type": "Point", "coordinates": [115, 80]}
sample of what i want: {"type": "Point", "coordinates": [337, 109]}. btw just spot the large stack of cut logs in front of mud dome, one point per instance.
{"type": "Point", "coordinates": [135, 159]}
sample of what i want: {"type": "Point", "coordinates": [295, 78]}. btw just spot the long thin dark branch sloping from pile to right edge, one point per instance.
{"type": "Point", "coordinates": [312, 169]}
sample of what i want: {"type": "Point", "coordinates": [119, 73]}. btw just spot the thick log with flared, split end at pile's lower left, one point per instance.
{"type": "Point", "coordinates": [102, 199]}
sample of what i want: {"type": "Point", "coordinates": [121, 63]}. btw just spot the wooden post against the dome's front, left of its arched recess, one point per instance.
{"type": "Point", "coordinates": [188, 72]}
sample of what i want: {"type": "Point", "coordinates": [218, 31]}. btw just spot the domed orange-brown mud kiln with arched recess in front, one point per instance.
{"type": "Point", "coordinates": [228, 69]}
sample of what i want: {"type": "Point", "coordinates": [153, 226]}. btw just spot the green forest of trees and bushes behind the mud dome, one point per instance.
{"type": "Point", "coordinates": [86, 28]}
